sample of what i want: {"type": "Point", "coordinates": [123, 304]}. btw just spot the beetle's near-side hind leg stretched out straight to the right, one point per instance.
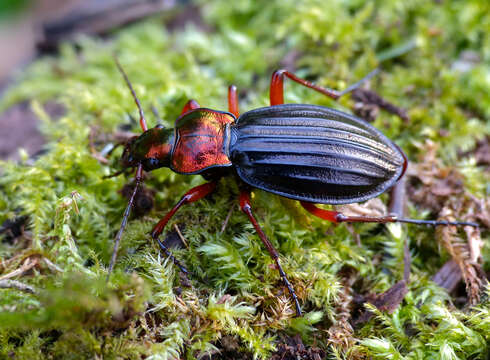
{"type": "Point", "coordinates": [338, 217]}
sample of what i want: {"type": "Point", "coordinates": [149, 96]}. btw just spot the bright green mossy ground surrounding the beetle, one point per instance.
{"type": "Point", "coordinates": [146, 310]}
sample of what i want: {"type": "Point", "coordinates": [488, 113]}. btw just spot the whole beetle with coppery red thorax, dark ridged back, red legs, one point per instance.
{"type": "Point", "coordinates": [309, 153]}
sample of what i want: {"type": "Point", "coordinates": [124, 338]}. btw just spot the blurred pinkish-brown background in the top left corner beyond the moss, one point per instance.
{"type": "Point", "coordinates": [29, 28]}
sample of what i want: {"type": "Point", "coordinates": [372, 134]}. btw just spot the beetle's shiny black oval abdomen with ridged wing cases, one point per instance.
{"type": "Point", "coordinates": [313, 153]}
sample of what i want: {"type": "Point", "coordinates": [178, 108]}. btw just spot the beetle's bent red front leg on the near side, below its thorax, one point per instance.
{"type": "Point", "coordinates": [191, 196]}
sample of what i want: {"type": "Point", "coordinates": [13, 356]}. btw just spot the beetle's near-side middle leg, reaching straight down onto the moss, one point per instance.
{"type": "Point", "coordinates": [247, 209]}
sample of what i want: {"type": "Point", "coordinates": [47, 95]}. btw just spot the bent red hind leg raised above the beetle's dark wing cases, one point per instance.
{"type": "Point", "coordinates": [277, 86]}
